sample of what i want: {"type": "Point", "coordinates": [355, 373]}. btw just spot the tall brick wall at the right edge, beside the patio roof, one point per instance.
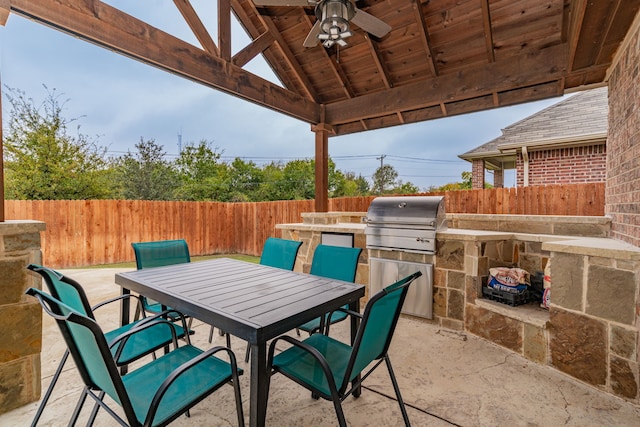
{"type": "Point", "coordinates": [623, 156]}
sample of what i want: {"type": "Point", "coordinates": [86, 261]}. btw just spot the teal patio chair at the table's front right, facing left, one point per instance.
{"type": "Point", "coordinates": [326, 366]}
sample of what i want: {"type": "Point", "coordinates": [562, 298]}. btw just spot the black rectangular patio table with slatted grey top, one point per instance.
{"type": "Point", "coordinates": [250, 301]}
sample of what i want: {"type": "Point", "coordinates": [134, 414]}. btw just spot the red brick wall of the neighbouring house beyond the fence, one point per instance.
{"type": "Point", "coordinates": [570, 165]}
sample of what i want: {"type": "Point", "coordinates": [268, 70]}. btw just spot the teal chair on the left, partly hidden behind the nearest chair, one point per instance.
{"type": "Point", "coordinates": [73, 295]}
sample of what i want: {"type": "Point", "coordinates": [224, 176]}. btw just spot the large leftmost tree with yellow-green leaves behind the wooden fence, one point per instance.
{"type": "Point", "coordinates": [44, 162]}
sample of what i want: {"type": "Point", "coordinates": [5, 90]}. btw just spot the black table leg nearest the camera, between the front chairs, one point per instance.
{"type": "Point", "coordinates": [259, 385]}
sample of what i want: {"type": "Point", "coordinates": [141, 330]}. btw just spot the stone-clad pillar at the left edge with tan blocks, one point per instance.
{"type": "Point", "coordinates": [20, 315]}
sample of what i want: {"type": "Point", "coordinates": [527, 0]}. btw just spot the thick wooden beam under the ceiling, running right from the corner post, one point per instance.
{"type": "Point", "coordinates": [527, 70]}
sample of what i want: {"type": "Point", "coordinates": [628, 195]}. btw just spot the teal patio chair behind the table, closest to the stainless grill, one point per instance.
{"type": "Point", "coordinates": [333, 262]}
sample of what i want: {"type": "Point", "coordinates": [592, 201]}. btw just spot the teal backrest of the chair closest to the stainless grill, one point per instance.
{"type": "Point", "coordinates": [335, 262]}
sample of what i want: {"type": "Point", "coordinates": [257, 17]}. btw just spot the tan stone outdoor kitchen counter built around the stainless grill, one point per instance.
{"type": "Point", "coordinates": [590, 331]}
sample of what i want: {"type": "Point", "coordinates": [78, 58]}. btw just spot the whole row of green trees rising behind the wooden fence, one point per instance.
{"type": "Point", "coordinates": [44, 162]}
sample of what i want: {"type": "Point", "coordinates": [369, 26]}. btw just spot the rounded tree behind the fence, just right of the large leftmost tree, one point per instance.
{"type": "Point", "coordinates": [146, 175]}
